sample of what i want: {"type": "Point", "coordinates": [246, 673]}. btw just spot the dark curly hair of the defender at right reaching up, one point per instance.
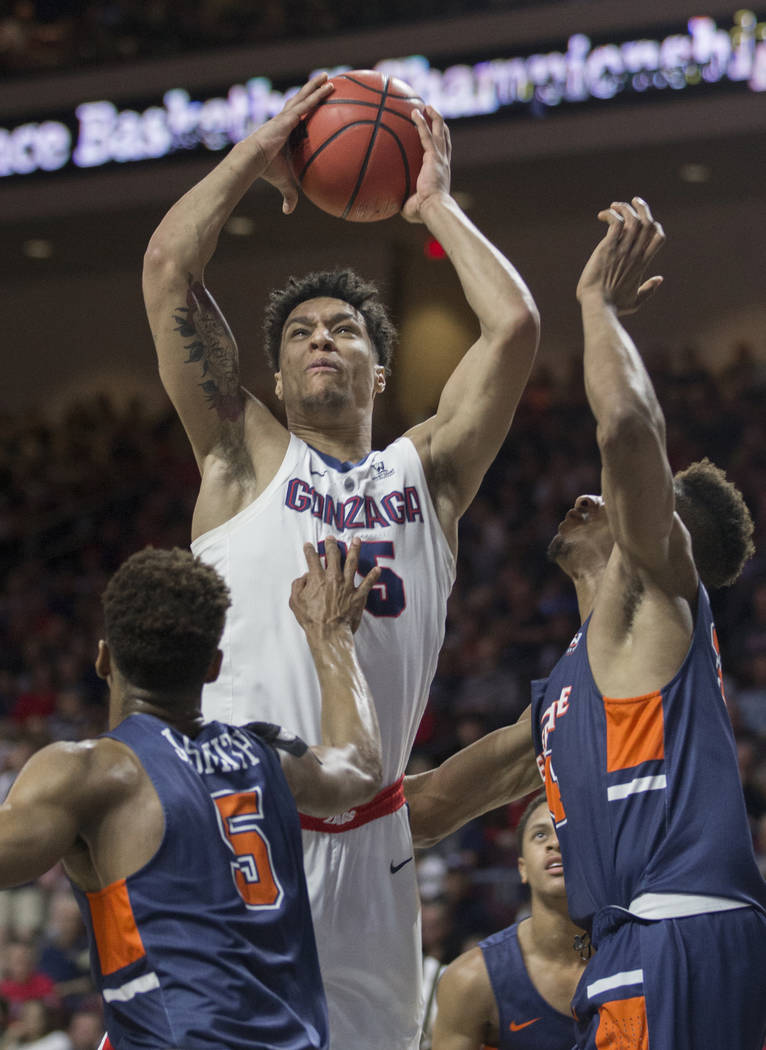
{"type": "Point", "coordinates": [719, 522]}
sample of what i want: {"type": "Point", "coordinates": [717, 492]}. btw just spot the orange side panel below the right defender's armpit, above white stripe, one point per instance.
{"type": "Point", "coordinates": [635, 731]}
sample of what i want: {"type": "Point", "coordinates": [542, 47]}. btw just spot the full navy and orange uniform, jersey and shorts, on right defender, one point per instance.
{"type": "Point", "coordinates": [658, 857]}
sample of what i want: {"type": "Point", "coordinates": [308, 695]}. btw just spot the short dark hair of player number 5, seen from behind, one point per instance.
{"type": "Point", "coordinates": [164, 614]}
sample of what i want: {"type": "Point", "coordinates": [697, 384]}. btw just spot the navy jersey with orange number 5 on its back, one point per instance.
{"type": "Point", "coordinates": [210, 944]}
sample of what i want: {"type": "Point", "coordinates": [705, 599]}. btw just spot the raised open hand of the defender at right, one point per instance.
{"type": "Point", "coordinates": [616, 269]}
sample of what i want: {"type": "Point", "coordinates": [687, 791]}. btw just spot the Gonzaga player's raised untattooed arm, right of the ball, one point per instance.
{"type": "Point", "coordinates": [481, 396]}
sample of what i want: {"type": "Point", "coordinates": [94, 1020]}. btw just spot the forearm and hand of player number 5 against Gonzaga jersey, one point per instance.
{"type": "Point", "coordinates": [346, 770]}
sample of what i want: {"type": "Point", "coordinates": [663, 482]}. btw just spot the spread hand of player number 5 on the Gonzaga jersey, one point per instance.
{"type": "Point", "coordinates": [328, 598]}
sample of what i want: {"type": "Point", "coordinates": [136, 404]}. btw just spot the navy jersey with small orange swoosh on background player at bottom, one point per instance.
{"type": "Point", "coordinates": [527, 1022]}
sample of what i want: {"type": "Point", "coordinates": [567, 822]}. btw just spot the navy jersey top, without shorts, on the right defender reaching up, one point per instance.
{"type": "Point", "coordinates": [646, 792]}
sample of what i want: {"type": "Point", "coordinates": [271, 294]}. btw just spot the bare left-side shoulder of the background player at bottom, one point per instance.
{"type": "Point", "coordinates": [466, 1011]}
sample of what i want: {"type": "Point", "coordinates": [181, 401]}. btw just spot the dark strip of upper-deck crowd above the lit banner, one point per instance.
{"type": "Point", "coordinates": [51, 35]}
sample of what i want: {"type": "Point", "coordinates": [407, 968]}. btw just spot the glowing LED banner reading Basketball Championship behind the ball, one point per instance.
{"type": "Point", "coordinates": [705, 56]}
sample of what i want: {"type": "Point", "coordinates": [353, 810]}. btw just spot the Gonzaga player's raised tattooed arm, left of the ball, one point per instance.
{"type": "Point", "coordinates": [198, 354]}
